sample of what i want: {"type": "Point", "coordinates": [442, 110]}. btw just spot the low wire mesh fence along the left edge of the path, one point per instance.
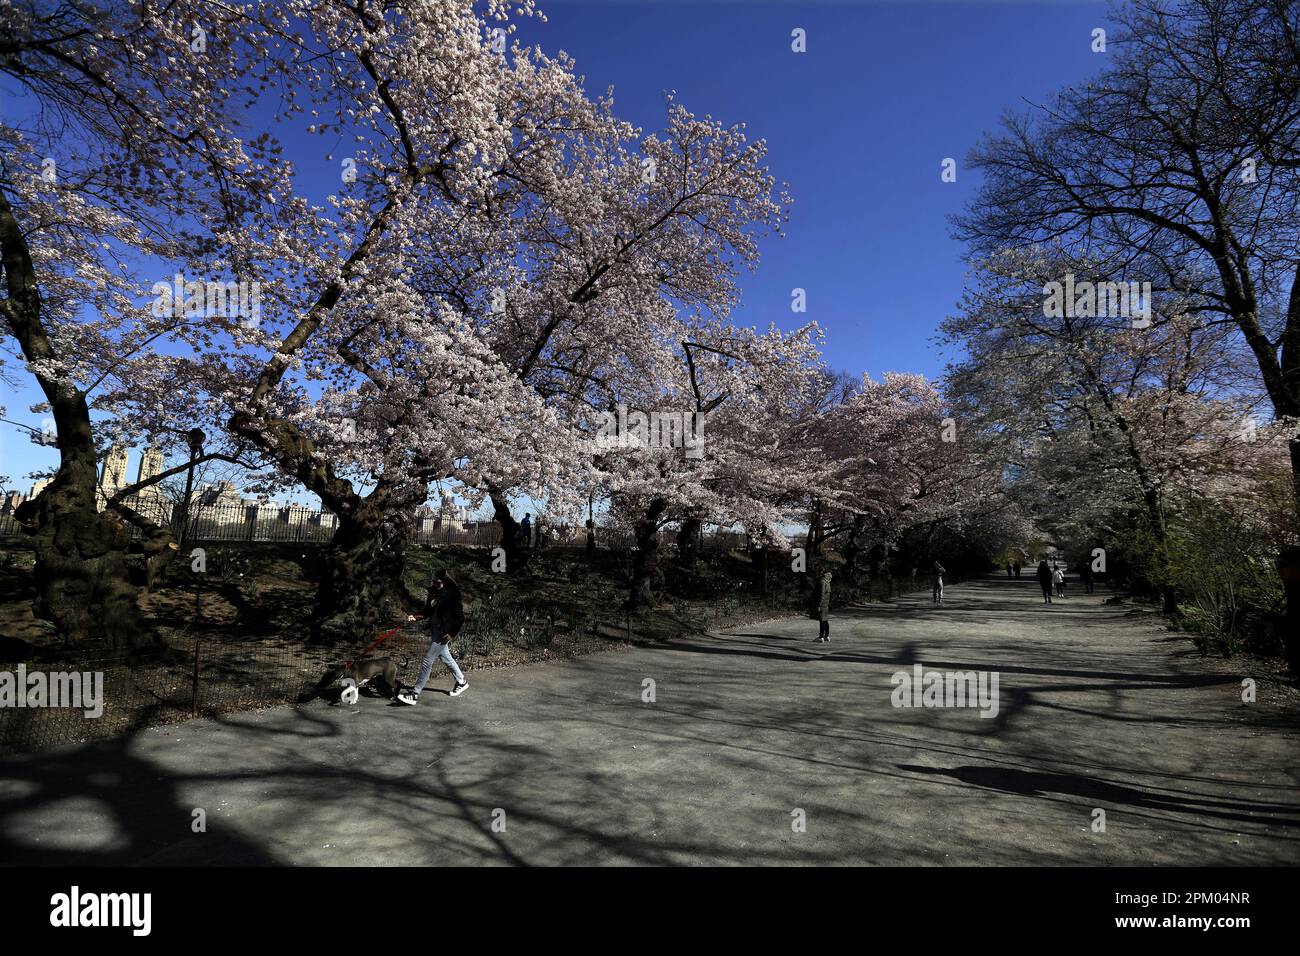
{"type": "Point", "coordinates": [214, 674]}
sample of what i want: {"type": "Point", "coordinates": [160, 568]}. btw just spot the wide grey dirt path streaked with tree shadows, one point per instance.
{"type": "Point", "coordinates": [1098, 708]}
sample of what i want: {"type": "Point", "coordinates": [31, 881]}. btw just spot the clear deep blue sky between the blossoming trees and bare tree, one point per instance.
{"type": "Point", "coordinates": [859, 126]}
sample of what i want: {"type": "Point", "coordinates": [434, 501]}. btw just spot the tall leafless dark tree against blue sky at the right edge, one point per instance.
{"type": "Point", "coordinates": [1182, 162]}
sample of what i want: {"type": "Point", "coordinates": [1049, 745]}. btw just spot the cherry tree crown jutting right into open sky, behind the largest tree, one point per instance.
{"type": "Point", "coordinates": [640, 230]}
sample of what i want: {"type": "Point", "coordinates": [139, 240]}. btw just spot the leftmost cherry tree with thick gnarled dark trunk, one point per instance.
{"type": "Point", "coordinates": [119, 139]}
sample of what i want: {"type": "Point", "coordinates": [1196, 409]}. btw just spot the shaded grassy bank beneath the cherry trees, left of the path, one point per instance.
{"type": "Point", "coordinates": [248, 617]}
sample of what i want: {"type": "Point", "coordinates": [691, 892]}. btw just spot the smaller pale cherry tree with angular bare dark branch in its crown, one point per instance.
{"type": "Point", "coordinates": [738, 395]}
